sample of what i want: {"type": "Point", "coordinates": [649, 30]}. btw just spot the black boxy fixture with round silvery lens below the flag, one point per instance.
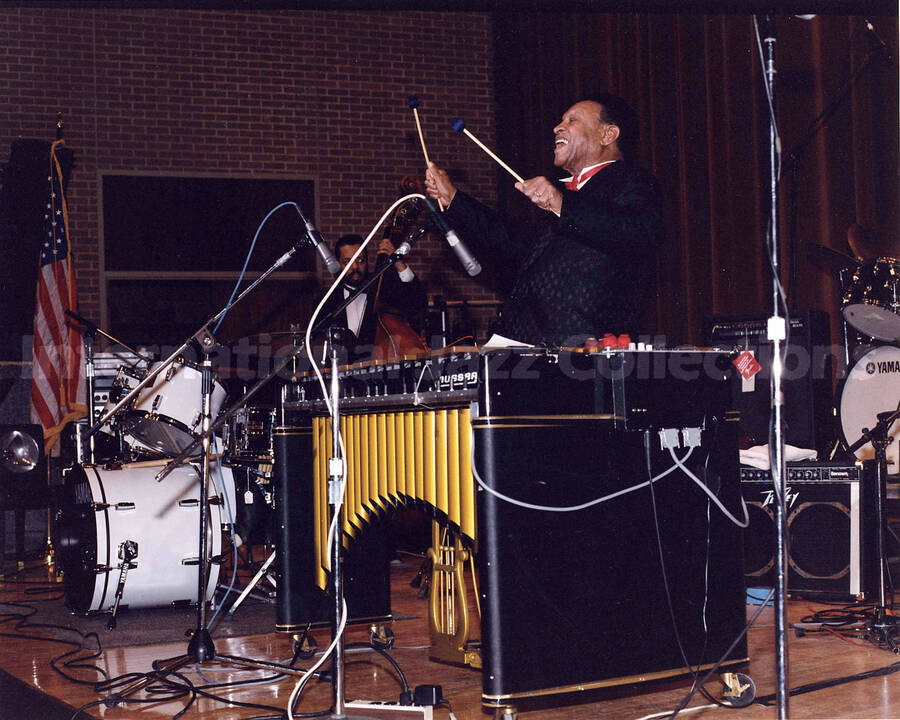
{"type": "Point", "coordinates": [23, 467]}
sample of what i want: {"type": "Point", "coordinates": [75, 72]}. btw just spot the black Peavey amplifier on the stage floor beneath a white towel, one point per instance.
{"type": "Point", "coordinates": [831, 529]}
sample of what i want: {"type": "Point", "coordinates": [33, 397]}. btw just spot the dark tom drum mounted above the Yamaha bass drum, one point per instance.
{"type": "Point", "coordinates": [871, 303]}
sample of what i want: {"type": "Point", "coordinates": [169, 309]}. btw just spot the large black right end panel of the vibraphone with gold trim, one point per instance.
{"type": "Point", "coordinates": [576, 600]}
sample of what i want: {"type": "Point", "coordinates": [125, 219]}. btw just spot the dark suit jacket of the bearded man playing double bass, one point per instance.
{"type": "Point", "coordinates": [408, 298]}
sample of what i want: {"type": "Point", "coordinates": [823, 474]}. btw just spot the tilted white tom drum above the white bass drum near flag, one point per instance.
{"type": "Point", "coordinates": [166, 416]}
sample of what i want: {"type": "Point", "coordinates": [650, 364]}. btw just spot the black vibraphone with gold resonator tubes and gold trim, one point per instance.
{"type": "Point", "coordinates": [487, 440]}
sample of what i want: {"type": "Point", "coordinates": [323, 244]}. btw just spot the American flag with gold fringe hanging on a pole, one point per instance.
{"type": "Point", "coordinates": [58, 383]}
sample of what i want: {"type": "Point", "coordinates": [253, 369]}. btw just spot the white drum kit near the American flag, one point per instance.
{"type": "Point", "coordinates": [116, 520]}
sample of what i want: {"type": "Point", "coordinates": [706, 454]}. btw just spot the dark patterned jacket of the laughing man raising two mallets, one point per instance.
{"type": "Point", "coordinates": [582, 274]}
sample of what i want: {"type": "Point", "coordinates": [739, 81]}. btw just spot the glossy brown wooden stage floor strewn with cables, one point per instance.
{"type": "Point", "coordinates": [32, 689]}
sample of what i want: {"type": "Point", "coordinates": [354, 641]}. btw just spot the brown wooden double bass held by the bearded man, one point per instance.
{"type": "Point", "coordinates": [394, 336]}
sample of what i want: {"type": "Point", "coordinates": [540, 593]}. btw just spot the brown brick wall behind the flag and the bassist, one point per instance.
{"type": "Point", "coordinates": [313, 94]}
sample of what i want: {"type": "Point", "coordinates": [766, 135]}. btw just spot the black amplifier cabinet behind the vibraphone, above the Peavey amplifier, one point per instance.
{"type": "Point", "coordinates": [807, 376]}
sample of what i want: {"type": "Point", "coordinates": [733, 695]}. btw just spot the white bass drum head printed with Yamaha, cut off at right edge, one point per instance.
{"type": "Point", "coordinates": [872, 387]}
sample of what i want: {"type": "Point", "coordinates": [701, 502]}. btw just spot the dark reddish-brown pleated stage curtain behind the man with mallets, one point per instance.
{"type": "Point", "coordinates": [696, 82]}
